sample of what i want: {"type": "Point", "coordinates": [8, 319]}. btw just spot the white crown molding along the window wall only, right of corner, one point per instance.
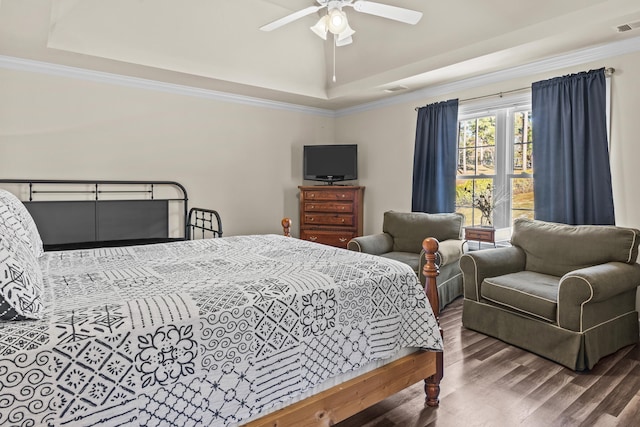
{"type": "Point", "coordinates": [569, 59]}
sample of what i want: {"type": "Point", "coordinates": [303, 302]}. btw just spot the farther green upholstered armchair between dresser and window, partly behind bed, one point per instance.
{"type": "Point", "coordinates": [401, 239]}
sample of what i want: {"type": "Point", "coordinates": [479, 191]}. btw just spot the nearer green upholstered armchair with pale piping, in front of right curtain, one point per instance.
{"type": "Point", "coordinates": [564, 292]}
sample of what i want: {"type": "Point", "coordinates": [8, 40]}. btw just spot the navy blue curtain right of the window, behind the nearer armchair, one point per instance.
{"type": "Point", "coordinates": [572, 175]}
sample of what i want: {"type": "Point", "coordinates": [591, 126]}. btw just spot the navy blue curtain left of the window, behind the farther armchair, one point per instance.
{"type": "Point", "coordinates": [434, 158]}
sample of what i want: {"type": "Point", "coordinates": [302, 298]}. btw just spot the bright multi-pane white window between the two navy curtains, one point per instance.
{"type": "Point", "coordinates": [495, 166]}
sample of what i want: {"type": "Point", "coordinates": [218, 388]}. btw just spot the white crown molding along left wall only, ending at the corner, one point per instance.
{"type": "Point", "coordinates": [20, 64]}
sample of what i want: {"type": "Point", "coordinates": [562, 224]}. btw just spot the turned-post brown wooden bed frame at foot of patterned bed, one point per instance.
{"type": "Point", "coordinates": [344, 400]}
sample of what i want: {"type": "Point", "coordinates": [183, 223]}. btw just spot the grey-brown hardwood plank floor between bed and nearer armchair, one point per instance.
{"type": "Point", "coordinates": [490, 383]}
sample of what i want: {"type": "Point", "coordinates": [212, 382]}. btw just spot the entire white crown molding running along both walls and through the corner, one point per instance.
{"type": "Point", "coordinates": [577, 57]}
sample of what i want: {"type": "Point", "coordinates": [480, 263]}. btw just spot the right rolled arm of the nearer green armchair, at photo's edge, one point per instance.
{"type": "Point", "coordinates": [588, 286]}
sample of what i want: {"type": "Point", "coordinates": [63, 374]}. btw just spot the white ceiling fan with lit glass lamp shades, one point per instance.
{"type": "Point", "coordinates": [335, 21]}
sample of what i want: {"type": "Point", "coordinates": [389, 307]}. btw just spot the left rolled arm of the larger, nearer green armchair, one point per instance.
{"type": "Point", "coordinates": [478, 265]}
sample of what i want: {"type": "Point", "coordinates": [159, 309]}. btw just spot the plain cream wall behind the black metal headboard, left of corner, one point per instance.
{"type": "Point", "coordinates": [242, 160]}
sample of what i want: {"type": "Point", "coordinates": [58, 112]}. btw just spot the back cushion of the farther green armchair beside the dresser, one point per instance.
{"type": "Point", "coordinates": [409, 229]}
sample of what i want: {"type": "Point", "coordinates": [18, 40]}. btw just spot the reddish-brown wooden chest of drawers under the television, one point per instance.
{"type": "Point", "coordinates": [331, 214]}
